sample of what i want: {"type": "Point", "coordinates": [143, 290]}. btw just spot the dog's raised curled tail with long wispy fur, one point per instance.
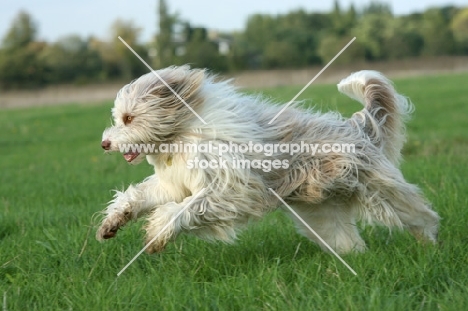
{"type": "Point", "coordinates": [385, 111]}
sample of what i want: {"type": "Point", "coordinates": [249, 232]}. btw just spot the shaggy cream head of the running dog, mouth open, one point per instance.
{"type": "Point", "coordinates": [153, 110]}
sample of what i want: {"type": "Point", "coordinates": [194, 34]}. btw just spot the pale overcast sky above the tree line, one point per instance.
{"type": "Point", "coordinates": [57, 18]}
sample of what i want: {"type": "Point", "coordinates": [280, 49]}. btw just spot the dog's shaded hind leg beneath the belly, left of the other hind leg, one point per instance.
{"type": "Point", "coordinates": [334, 221]}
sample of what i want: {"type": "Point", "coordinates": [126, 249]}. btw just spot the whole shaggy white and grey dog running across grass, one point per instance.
{"type": "Point", "coordinates": [331, 191]}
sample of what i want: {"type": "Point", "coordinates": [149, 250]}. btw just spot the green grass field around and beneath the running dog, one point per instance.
{"type": "Point", "coordinates": [54, 178]}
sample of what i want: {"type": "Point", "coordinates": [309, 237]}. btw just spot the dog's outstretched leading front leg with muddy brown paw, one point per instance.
{"type": "Point", "coordinates": [136, 201]}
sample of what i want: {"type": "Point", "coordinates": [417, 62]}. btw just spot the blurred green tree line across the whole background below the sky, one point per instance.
{"type": "Point", "coordinates": [293, 40]}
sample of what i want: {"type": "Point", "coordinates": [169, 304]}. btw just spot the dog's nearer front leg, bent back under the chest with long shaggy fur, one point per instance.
{"type": "Point", "coordinates": [209, 216]}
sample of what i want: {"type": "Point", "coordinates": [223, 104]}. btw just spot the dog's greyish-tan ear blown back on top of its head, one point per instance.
{"type": "Point", "coordinates": [182, 81]}
